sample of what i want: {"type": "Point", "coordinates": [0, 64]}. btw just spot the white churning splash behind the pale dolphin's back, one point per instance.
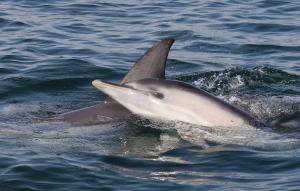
{"type": "Point", "coordinates": [265, 92]}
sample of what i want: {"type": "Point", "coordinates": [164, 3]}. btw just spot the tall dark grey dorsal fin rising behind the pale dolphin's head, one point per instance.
{"type": "Point", "coordinates": [152, 64]}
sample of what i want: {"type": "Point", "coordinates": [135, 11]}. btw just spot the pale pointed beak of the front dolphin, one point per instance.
{"type": "Point", "coordinates": [108, 87]}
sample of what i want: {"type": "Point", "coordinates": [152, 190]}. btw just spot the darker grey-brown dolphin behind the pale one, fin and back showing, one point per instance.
{"type": "Point", "coordinates": [151, 65]}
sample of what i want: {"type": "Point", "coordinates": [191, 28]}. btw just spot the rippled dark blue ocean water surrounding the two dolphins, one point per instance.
{"type": "Point", "coordinates": [245, 52]}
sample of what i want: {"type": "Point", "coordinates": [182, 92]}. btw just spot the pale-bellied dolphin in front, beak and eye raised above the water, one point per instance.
{"type": "Point", "coordinates": [176, 100]}
